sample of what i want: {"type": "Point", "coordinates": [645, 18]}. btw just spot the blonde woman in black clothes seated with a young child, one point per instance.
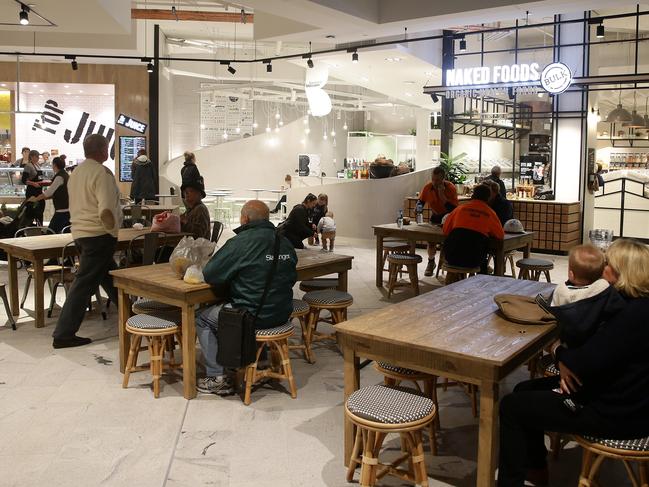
{"type": "Point", "coordinates": [610, 372]}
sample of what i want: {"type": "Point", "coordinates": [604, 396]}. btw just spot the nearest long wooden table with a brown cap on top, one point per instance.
{"type": "Point", "coordinates": [452, 332]}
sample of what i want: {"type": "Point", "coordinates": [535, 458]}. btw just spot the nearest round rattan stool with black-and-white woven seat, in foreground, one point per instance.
{"type": "Point", "coordinates": [377, 411]}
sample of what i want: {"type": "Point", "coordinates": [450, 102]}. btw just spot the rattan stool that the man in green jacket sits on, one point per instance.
{"type": "Point", "coordinates": [276, 339]}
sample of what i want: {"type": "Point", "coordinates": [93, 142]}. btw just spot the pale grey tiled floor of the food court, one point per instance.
{"type": "Point", "coordinates": [66, 421]}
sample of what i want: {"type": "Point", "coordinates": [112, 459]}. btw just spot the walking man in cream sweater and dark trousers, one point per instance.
{"type": "Point", "coordinates": [96, 217]}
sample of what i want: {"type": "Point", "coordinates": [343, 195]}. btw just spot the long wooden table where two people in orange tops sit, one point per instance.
{"type": "Point", "coordinates": [426, 232]}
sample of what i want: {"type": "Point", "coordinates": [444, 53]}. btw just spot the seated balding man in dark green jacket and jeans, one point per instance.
{"type": "Point", "coordinates": [242, 265]}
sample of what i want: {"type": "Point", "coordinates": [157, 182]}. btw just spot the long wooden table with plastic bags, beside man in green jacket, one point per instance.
{"type": "Point", "coordinates": [160, 283]}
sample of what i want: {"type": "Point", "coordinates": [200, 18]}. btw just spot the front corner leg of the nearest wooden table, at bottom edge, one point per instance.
{"type": "Point", "coordinates": [488, 434]}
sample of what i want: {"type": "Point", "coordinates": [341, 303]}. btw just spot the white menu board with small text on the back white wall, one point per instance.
{"type": "Point", "coordinates": [224, 114]}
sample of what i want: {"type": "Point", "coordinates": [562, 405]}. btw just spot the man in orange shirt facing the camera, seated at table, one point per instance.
{"type": "Point", "coordinates": [441, 197]}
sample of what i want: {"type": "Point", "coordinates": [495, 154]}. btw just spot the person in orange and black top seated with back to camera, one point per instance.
{"type": "Point", "coordinates": [468, 229]}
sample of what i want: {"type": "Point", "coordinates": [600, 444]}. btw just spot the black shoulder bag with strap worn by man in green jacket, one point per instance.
{"type": "Point", "coordinates": [236, 329]}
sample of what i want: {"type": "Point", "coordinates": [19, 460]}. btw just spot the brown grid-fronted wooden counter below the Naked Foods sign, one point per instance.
{"type": "Point", "coordinates": [556, 225]}
